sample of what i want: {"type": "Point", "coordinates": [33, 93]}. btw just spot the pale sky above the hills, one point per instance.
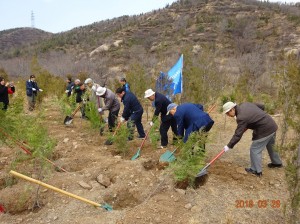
{"type": "Point", "coordinates": [61, 15]}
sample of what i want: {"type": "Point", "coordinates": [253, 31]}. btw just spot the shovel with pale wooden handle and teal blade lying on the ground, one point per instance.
{"type": "Point", "coordinates": [105, 206]}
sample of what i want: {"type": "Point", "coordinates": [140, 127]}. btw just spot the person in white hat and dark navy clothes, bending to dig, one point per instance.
{"type": "Point", "coordinates": [161, 103]}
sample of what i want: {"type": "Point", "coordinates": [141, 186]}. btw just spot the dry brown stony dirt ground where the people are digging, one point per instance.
{"type": "Point", "coordinates": [140, 191]}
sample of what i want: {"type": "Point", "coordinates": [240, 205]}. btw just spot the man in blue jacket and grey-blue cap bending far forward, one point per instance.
{"type": "Point", "coordinates": [190, 118]}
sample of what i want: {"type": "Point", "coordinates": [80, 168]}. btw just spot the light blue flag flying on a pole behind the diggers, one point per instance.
{"type": "Point", "coordinates": [175, 74]}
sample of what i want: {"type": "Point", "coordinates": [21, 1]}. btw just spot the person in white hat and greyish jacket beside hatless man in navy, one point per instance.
{"type": "Point", "coordinates": [111, 103]}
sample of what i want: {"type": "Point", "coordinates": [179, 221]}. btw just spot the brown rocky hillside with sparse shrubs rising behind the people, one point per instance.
{"type": "Point", "coordinates": [229, 28]}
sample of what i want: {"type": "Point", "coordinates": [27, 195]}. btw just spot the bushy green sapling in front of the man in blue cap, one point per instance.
{"type": "Point", "coordinates": [190, 159]}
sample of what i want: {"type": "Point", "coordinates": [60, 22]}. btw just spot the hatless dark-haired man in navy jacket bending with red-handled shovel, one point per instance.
{"type": "Point", "coordinates": [133, 112]}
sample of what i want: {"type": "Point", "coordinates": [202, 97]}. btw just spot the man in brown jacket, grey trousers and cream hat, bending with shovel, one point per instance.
{"type": "Point", "coordinates": [252, 116]}
